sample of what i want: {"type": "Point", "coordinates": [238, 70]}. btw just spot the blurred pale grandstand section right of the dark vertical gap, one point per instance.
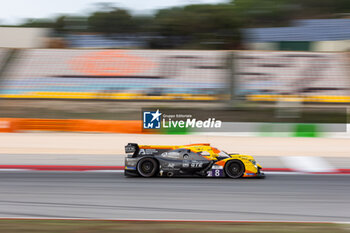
{"type": "Point", "coordinates": [311, 77]}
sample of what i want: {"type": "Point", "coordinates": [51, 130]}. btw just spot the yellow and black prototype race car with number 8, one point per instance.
{"type": "Point", "coordinates": [201, 160]}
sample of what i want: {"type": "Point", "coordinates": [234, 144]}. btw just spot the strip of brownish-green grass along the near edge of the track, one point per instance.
{"type": "Point", "coordinates": [96, 226]}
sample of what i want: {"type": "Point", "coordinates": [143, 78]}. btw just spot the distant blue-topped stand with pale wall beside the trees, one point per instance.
{"type": "Point", "coordinates": [312, 34]}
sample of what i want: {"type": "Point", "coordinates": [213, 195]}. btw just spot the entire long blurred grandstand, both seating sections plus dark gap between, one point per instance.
{"type": "Point", "coordinates": [185, 75]}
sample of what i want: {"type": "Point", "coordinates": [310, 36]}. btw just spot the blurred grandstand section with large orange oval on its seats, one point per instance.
{"type": "Point", "coordinates": [116, 74]}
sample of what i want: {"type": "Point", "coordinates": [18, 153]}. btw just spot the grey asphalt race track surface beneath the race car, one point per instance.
{"type": "Point", "coordinates": [109, 195]}
